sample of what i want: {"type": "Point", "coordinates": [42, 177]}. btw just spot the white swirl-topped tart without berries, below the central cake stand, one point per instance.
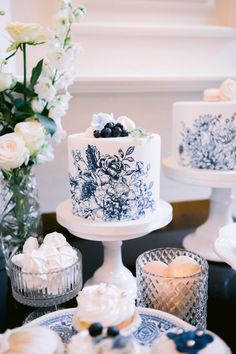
{"type": "Point", "coordinates": [107, 304]}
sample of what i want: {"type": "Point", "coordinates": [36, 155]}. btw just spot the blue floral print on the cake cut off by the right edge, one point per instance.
{"type": "Point", "coordinates": [210, 143]}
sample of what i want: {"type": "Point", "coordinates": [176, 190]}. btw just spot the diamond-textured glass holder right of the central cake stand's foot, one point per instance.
{"type": "Point", "coordinates": [184, 297]}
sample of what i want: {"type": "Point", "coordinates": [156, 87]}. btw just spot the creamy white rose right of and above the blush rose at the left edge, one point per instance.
{"type": "Point", "coordinates": [32, 132]}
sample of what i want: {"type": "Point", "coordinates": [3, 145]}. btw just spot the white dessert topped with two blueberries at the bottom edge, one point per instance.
{"type": "Point", "coordinates": [97, 340]}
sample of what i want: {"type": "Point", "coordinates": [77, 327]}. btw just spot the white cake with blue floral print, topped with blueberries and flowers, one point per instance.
{"type": "Point", "coordinates": [114, 178]}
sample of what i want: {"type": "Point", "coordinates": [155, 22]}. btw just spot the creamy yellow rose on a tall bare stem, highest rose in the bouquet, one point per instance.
{"type": "Point", "coordinates": [25, 33]}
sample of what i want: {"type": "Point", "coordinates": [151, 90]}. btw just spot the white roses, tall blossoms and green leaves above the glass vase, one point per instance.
{"type": "Point", "coordinates": [31, 110]}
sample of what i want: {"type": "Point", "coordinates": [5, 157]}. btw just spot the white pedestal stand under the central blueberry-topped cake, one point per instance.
{"type": "Point", "coordinates": [111, 235]}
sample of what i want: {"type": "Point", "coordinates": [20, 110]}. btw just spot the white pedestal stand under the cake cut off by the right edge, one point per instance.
{"type": "Point", "coordinates": [203, 239]}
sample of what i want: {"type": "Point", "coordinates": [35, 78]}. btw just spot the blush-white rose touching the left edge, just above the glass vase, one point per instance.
{"type": "Point", "coordinates": [13, 152]}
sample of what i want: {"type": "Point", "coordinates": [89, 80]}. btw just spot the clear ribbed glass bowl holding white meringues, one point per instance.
{"type": "Point", "coordinates": [46, 289]}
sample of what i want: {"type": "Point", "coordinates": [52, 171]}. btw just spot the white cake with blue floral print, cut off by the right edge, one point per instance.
{"type": "Point", "coordinates": [204, 132]}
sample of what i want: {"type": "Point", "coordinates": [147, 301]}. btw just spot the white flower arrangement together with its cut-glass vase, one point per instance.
{"type": "Point", "coordinates": [30, 120]}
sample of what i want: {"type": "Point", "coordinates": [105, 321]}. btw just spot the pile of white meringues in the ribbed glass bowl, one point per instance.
{"type": "Point", "coordinates": [40, 266]}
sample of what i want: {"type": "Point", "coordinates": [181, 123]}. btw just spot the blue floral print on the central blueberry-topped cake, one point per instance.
{"type": "Point", "coordinates": [110, 187]}
